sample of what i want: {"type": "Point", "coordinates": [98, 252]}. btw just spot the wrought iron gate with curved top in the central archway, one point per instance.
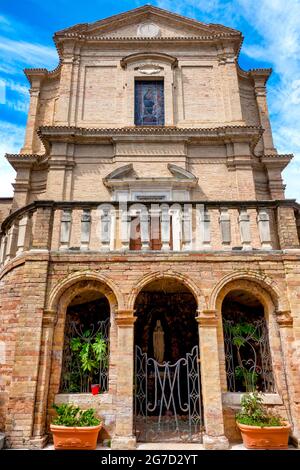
{"type": "Point", "coordinates": [168, 399]}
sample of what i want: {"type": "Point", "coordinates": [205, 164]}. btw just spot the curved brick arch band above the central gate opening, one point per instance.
{"type": "Point", "coordinates": [182, 278]}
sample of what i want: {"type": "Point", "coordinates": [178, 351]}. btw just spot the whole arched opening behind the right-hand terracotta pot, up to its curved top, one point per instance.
{"type": "Point", "coordinates": [246, 343]}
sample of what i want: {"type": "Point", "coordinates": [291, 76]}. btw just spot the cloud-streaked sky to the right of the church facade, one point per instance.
{"type": "Point", "coordinates": [277, 24]}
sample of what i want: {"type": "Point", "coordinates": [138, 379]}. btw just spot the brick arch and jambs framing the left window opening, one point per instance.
{"type": "Point", "coordinates": [78, 289]}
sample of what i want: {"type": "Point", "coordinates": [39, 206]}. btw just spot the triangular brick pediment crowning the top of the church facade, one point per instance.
{"type": "Point", "coordinates": [147, 21]}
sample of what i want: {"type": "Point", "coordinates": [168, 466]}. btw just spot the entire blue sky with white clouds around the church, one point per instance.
{"type": "Point", "coordinates": [272, 39]}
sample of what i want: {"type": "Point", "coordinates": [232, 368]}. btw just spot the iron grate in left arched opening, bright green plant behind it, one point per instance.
{"type": "Point", "coordinates": [85, 357]}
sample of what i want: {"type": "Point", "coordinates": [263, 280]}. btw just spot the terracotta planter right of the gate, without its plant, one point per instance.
{"type": "Point", "coordinates": [269, 437]}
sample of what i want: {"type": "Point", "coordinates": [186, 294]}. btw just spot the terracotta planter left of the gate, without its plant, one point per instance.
{"type": "Point", "coordinates": [75, 438]}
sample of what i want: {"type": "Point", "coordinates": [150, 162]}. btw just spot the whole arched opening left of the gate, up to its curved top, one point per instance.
{"type": "Point", "coordinates": [86, 344]}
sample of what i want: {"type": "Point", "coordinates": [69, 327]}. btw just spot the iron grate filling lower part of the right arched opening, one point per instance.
{"type": "Point", "coordinates": [248, 356]}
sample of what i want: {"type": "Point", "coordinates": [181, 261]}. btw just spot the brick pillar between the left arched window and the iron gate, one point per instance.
{"type": "Point", "coordinates": [124, 438]}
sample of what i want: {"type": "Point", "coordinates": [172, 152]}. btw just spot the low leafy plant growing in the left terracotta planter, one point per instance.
{"type": "Point", "coordinates": [71, 415]}
